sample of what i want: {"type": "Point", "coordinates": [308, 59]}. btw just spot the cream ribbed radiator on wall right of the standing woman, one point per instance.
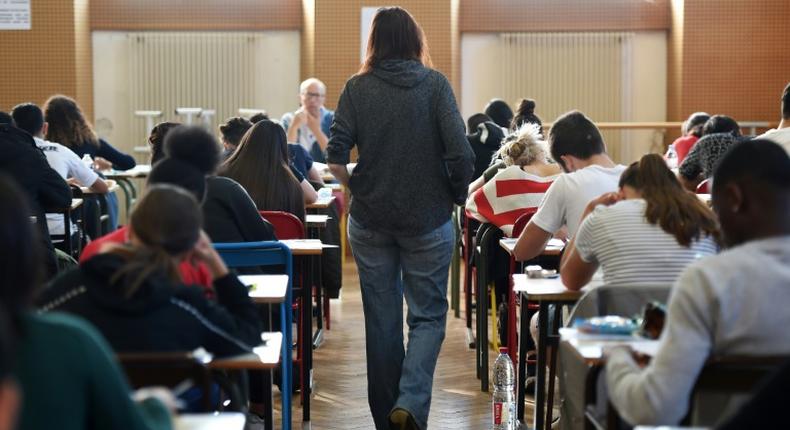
{"type": "Point", "coordinates": [590, 72]}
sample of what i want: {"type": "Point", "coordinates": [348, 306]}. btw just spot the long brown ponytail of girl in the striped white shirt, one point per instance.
{"type": "Point", "coordinates": [677, 211]}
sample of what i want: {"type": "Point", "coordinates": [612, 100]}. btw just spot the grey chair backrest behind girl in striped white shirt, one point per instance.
{"type": "Point", "coordinates": [625, 301]}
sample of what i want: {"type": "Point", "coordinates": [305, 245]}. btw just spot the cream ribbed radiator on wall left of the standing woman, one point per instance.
{"type": "Point", "coordinates": [213, 71]}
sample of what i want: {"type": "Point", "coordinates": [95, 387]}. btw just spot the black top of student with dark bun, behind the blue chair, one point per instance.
{"type": "Point", "coordinates": [230, 215]}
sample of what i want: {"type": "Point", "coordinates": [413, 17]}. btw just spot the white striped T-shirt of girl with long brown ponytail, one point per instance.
{"type": "Point", "coordinates": [631, 251]}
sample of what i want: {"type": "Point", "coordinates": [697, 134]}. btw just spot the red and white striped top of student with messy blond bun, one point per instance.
{"type": "Point", "coordinates": [507, 196]}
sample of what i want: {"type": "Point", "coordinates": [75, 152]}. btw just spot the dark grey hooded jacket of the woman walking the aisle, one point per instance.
{"type": "Point", "coordinates": [414, 159]}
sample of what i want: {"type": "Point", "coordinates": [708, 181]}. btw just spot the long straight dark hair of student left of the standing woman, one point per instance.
{"type": "Point", "coordinates": [260, 165]}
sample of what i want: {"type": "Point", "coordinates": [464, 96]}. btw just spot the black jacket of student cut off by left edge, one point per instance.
{"type": "Point", "coordinates": [45, 189]}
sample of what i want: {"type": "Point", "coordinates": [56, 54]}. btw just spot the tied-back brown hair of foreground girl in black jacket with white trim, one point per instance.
{"type": "Point", "coordinates": [167, 222]}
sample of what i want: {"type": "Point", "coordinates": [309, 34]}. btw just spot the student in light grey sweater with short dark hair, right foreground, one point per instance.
{"type": "Point", "coordinates": [723, 305]}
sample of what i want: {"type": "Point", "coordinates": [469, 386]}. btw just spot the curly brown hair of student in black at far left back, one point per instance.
{"type": "Point", "coordinates": [67, 124]}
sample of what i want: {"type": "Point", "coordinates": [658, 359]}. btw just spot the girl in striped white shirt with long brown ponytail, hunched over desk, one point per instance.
{"type": "Point", "coordinates": [645, 234]}
